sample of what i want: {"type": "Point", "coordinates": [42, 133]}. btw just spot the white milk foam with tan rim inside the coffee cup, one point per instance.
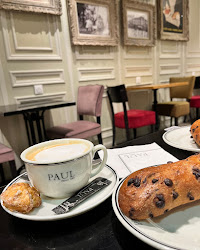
{"type": "Point", "coordinates": [58, 152]}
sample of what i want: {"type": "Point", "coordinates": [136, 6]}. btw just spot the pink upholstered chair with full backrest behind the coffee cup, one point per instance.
{"type": "Point", "coordinates": [89, 102]}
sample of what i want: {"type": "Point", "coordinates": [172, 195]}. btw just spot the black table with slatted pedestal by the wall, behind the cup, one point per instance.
{"type": "Point", "coordinates": [33, 114]}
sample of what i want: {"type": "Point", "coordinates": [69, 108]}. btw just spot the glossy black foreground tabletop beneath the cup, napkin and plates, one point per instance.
{"type": "Point", "coordinates": [97, 229]}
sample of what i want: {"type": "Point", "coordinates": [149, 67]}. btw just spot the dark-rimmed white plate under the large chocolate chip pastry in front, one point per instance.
{"type": "Point", "coordinates": [177, 229]}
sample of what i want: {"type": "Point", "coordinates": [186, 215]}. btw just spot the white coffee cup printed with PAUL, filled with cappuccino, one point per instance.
{"type": "Point", "coordinates": [59, 168]}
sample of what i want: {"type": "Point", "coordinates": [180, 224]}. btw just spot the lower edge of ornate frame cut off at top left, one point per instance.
{"type": "Point", "coordinates": [39, 6]}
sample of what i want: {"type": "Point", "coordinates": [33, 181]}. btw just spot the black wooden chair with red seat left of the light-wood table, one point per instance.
{"type": "Point", "coordinates": [127, 119]}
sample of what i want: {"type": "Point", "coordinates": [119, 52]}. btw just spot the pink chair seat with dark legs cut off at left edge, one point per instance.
{"type": "Point", "coordinates": [7, 155]}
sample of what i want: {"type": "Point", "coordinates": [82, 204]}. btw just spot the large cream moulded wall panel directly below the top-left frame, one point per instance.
{"type": "Point", "coordinates": [37, 41]}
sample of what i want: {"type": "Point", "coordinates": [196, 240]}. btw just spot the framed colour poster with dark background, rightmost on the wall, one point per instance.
{"type": "Point", "coordinates": [173, 20]}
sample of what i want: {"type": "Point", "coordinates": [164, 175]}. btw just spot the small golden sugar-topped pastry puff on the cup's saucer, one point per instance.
{"type": "Point", "coordinates": [21, 197]}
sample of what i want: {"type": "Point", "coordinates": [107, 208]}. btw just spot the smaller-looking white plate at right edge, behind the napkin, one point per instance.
{"type": "Point", "coordinates": [181, 138]}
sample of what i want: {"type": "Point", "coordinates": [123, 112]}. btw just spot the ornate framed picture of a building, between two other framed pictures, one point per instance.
{"type": "Point", "coordinates": [139, 23]}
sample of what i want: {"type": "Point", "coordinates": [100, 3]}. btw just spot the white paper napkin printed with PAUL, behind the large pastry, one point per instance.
{"type": "Point", "coordinates": [129, 159]}
